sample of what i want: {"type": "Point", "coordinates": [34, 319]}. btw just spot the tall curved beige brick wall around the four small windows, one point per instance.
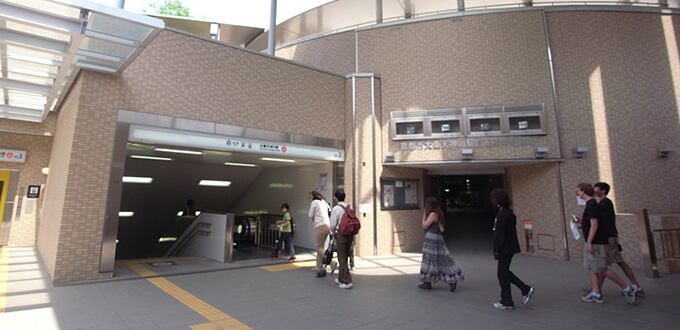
{"type": "Point", "coordinates": [616, 85]}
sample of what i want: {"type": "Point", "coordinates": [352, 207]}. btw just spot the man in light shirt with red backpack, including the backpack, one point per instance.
{"type": "Point", "coordinates": [344, 226]}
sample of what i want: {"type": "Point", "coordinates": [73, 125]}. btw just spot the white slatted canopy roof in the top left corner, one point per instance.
{"type": "Point", "coordinates": [44, 44]}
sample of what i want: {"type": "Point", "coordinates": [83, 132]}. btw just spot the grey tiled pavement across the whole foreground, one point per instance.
{"type": "Point", "coordinates": [265, 294]}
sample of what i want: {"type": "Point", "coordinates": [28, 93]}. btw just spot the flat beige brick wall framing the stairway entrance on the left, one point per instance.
{"type": "Point", "coordinates": [177, 75]}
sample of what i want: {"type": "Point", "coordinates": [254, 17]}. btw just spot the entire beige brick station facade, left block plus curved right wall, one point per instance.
{"type": "Point", "coordinates": [615, 74]}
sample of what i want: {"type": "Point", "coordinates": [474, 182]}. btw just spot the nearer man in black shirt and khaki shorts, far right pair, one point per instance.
{"type": "Point", "coordinates": [594, 253]}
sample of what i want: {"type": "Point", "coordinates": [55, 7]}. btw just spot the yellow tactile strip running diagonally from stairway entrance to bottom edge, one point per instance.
{"type": "Point", "coordinates": [217, 318]}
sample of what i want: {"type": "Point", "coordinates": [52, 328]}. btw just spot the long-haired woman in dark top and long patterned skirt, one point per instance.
{"type": "Point", "coordinates": [437, 263]}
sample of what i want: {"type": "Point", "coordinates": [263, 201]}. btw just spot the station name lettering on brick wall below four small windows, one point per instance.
{"type": "Point", "coordinates": [468, 143]}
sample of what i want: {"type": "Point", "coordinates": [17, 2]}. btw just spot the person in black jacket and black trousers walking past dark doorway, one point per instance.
{"type": "Point", "coordinates": [505, 245]}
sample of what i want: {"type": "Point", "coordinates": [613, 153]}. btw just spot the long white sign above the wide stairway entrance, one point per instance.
{"type": "Point", "coordinates": [228, 143]}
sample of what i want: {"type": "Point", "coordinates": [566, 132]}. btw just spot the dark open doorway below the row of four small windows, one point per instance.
{"type": "Point", "coordinates": [466, 202]}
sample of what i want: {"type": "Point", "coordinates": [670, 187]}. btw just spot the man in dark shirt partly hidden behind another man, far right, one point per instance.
{"type": "Point", "coordinates": [613, 252]}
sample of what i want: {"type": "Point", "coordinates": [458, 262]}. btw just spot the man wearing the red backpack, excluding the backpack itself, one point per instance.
{"type": "Point", "coordinates": [343, 243]}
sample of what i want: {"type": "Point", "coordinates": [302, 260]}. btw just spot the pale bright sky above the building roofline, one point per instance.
{"type": "Point", "coordinates": [253, 13]}
